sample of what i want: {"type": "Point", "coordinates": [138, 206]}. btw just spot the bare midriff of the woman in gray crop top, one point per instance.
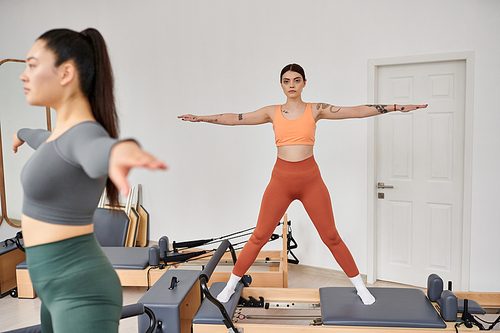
{"type": "Point", "coordinates": [37, 232]}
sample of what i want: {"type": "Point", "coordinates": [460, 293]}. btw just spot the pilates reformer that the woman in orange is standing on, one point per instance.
{"type": "Point", "coordinates": [178, 306]}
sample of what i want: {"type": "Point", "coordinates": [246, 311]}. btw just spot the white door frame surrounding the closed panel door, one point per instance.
{"type": "Point", "coordinates": [373, 66]}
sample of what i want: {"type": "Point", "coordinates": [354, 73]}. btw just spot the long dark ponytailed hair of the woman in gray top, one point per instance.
{"type": "Point", "coordinates": [89, 53]}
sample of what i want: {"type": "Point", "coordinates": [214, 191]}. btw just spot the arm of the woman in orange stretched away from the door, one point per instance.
{"type": "Point", "coordinates": [260, 116]}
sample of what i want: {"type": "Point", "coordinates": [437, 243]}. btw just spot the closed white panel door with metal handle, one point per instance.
{"type": "Point", "coordinates": [420, 154]}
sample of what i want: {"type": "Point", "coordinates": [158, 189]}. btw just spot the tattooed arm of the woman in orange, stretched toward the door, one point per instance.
{"type": "Point", "coordinates": [327, 111]}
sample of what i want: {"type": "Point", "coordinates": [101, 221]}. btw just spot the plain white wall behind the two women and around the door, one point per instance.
{"type": "Point", "coordinates": [205, 57]}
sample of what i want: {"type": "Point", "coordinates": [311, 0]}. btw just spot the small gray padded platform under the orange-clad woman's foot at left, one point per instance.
{"type": "Point", "coordinates": [208, 313]}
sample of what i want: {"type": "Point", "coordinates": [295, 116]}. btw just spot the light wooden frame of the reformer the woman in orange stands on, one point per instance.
{"type": "Point", "coordinates": [488, 300]}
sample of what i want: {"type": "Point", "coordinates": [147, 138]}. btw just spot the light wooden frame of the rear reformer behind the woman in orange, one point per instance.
{"type": "Point", "coordinates": [276, 276]}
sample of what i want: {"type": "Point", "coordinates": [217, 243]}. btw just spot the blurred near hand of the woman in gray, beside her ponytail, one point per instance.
{"type": "Point", "coordinates": [126, 155]}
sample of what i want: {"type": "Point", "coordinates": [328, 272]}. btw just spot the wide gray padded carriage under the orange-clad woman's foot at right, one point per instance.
{"type": "Point", "coordinates": [394, 307]}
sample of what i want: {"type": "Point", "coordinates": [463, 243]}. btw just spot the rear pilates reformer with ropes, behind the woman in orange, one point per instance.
{"type": "Point", "coordinates": [143, 266]}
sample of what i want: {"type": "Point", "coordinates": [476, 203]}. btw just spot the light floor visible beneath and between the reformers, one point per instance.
{"type": "Point", "coordinates": [16, 313]}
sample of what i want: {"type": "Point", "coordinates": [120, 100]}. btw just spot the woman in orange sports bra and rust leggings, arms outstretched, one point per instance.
{"type": "Point", "coordinates": [296, 175]}
